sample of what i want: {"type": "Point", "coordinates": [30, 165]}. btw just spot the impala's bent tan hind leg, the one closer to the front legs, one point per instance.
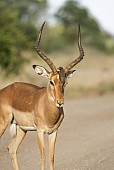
{"type": "Point", "coordinates": [13, 146]}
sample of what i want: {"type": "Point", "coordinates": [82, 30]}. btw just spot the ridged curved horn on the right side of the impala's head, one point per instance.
{"type": "Point", "coordinates": [77, 60]}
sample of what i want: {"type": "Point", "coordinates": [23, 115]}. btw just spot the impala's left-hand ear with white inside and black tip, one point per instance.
{"type": "Point", "coordinates": [41, 71]}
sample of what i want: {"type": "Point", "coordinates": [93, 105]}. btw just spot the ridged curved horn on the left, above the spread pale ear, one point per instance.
{"type": "Point", "coordinates": [41, 54]}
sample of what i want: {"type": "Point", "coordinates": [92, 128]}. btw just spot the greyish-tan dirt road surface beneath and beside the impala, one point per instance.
{"type": "Point", "coordinates": [85, 139]}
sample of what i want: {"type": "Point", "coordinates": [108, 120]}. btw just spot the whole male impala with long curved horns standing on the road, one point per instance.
{"type": "Point", "coordinates": [28, 107]}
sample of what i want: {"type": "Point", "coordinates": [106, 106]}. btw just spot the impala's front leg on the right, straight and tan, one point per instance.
{"type": "Point", "coordinates": [52, 141]}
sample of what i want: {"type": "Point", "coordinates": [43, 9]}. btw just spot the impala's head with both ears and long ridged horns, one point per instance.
{"type": "Point", "coordinates": [58, 76]}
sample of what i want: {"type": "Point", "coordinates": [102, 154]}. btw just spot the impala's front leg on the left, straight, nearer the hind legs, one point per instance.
{"type": "Point", "coordinates": [41, 148]}
